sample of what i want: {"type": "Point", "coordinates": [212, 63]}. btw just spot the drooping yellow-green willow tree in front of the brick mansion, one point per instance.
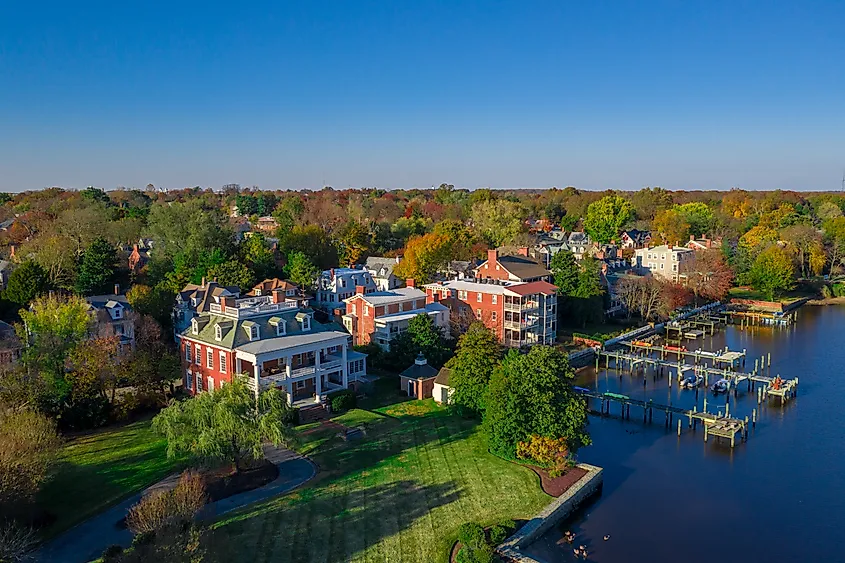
{"type": "Point", "coordinates": [228, 425]}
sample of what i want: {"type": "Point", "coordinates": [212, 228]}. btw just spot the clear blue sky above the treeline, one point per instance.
{"type": "Point", "coordinates": [681, 94]}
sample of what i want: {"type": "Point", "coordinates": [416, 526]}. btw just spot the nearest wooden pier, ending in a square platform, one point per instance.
{"type": "Point", "coordinates": [718, 425]}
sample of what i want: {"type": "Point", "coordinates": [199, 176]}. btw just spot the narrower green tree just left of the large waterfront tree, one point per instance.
{"type": "Point", "coordinates": [477, 356]}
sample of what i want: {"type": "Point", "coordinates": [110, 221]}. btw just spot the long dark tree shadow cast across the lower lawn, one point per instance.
{"type": "Point", "coordinates": [335, 523]}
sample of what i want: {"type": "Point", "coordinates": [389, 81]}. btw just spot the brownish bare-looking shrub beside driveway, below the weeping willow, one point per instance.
{"type": "Point", "coordinates": [164, 508]}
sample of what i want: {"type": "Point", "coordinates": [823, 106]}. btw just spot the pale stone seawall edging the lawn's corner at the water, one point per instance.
{"type": "Point", "coordinates": [559, 509]}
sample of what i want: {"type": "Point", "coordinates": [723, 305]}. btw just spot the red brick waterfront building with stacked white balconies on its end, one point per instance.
{"type": "Point", "coordinates": [520, 314]}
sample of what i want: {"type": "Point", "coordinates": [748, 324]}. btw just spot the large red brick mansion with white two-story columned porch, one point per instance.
{"type": "Point", "coordinates": [272, 343]}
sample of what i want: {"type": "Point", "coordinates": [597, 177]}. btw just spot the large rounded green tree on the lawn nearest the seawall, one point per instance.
{"type": "Point", "coordinates": [531, 394]}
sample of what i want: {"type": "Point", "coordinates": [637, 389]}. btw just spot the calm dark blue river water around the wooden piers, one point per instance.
{"type": "Point", "coordinates": [779, 497]}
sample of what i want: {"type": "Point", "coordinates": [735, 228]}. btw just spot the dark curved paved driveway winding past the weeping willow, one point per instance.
{"type": "Point", "coordinates": [86, 541]}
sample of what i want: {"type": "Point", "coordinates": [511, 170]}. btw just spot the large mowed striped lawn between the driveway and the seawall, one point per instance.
{"type": "Point", "coordinates": [398, 494]}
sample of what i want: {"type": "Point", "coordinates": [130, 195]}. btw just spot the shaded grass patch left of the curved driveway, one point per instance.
{"type": "Point", "coordinates": [97, 470]}
